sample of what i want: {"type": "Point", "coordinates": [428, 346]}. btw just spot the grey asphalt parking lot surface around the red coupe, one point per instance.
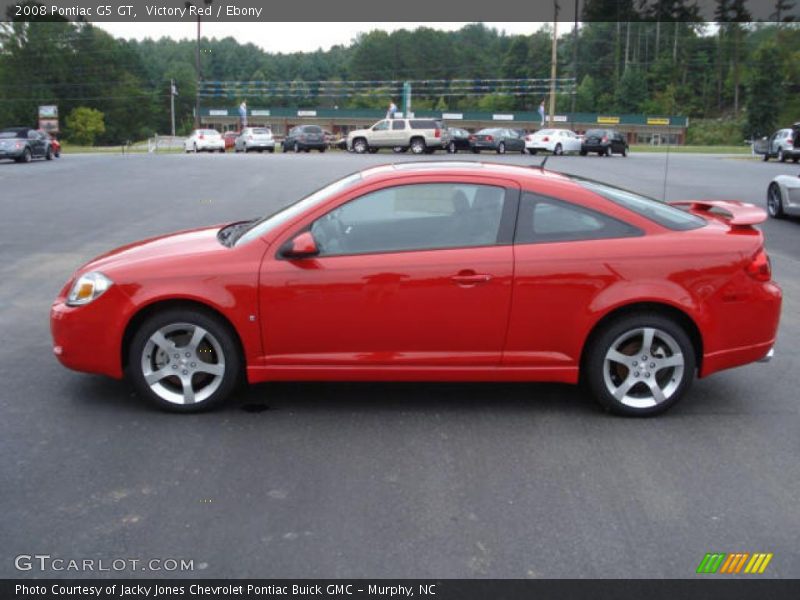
{"type": "Point", "coordinates": [372, 480]}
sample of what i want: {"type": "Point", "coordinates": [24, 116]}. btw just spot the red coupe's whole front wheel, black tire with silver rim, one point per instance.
{"type": "Point", "coordinates": [184, 360]}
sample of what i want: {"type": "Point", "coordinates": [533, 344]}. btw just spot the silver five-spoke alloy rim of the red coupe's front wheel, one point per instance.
{"type": "Point", "coordinates": [183, 363]}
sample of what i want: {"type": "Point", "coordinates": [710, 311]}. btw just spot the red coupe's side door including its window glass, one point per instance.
{"type": "Point", "coordinates": [415, 274]}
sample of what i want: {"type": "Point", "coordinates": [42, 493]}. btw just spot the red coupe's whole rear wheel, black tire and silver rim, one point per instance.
{"type": "Point", "coordinates": [636, 379]}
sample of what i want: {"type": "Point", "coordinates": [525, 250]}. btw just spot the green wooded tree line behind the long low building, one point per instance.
{"type": "Point", "coordinates": [657, 58]}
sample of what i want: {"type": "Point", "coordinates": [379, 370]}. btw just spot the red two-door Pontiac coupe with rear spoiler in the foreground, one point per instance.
{"type": "Point", "coordinates": [438, 271]}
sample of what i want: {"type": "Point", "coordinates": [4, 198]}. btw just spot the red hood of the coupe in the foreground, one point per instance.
{"type": "Point", "coordinates": [165, 248]}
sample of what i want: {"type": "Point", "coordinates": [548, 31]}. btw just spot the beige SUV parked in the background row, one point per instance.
{"type": "Point", "coordinates": [421, 136]}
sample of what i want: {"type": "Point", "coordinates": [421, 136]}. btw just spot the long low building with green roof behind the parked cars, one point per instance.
{"type": "Point", "coordinates": [639, 129]}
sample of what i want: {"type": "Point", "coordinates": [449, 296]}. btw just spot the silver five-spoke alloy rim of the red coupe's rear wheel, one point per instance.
{"type": "Point", "coordinates": [643, 367]}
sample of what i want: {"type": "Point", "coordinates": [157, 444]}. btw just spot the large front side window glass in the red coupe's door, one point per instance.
{"type": "Point", "coordinates": [413, 217]}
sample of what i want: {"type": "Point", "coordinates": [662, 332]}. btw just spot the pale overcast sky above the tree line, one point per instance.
{"type": "Point", "coordinates": [283, 37]}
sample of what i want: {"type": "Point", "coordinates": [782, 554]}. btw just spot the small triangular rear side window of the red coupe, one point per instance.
{"type": "Point", "coordinates": [542, 220]}
